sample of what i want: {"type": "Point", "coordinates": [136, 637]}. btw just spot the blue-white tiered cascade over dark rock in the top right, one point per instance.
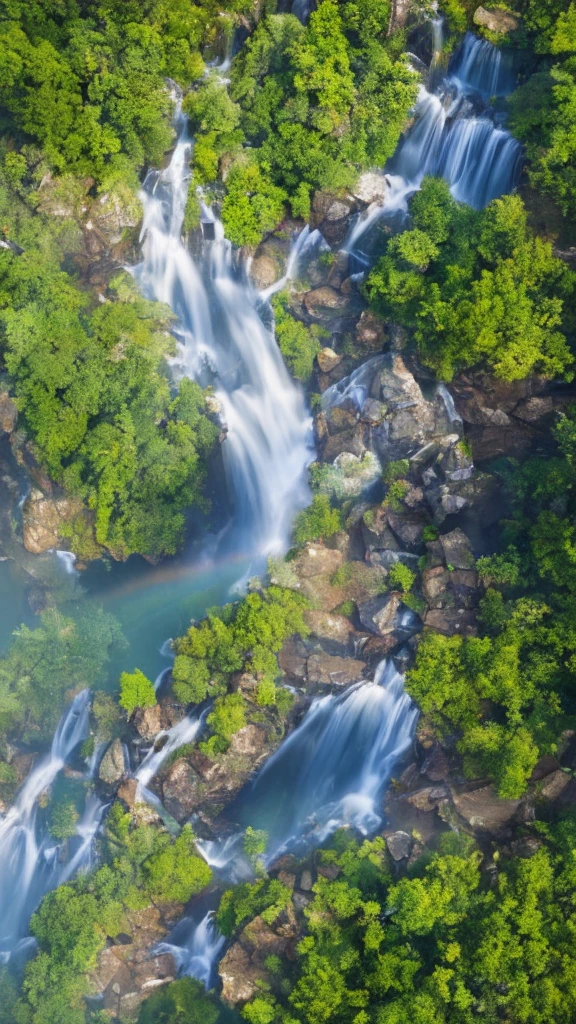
{"type": "Point", "coordinates": [455, 136]}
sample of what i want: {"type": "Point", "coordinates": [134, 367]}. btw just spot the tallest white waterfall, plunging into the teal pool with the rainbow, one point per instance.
{"type": "Point", "coordinates": [224, 343]}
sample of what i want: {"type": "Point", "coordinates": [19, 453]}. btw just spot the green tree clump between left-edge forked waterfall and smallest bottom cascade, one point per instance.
{"type": "Point", "coordinates": [74, 923]}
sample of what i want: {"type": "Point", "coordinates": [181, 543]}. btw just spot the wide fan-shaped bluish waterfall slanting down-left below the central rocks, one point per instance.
{"type": "Point", "coordinates": [334, 770]}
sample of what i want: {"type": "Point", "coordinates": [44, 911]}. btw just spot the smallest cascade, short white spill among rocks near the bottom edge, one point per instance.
{"type": "Point", "coordinates": [196, 947]}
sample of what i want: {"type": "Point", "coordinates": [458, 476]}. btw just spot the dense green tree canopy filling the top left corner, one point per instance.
{"type": "Point", "coordinates": [87, 80]}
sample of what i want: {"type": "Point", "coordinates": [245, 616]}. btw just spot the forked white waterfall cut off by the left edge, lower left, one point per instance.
{"type": "Point", "coordinates": [31, 862]}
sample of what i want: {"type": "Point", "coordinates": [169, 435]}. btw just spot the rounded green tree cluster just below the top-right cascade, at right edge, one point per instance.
{"type": "Point", "coordinates": [477, 288]}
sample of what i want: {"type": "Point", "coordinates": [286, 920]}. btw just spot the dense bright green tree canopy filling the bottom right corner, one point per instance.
{"type": "Point", "coordinates": [442, 946]}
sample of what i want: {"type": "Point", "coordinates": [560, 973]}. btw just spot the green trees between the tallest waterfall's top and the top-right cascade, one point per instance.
{"type": "Point", "coordinates": [315, 104]}
